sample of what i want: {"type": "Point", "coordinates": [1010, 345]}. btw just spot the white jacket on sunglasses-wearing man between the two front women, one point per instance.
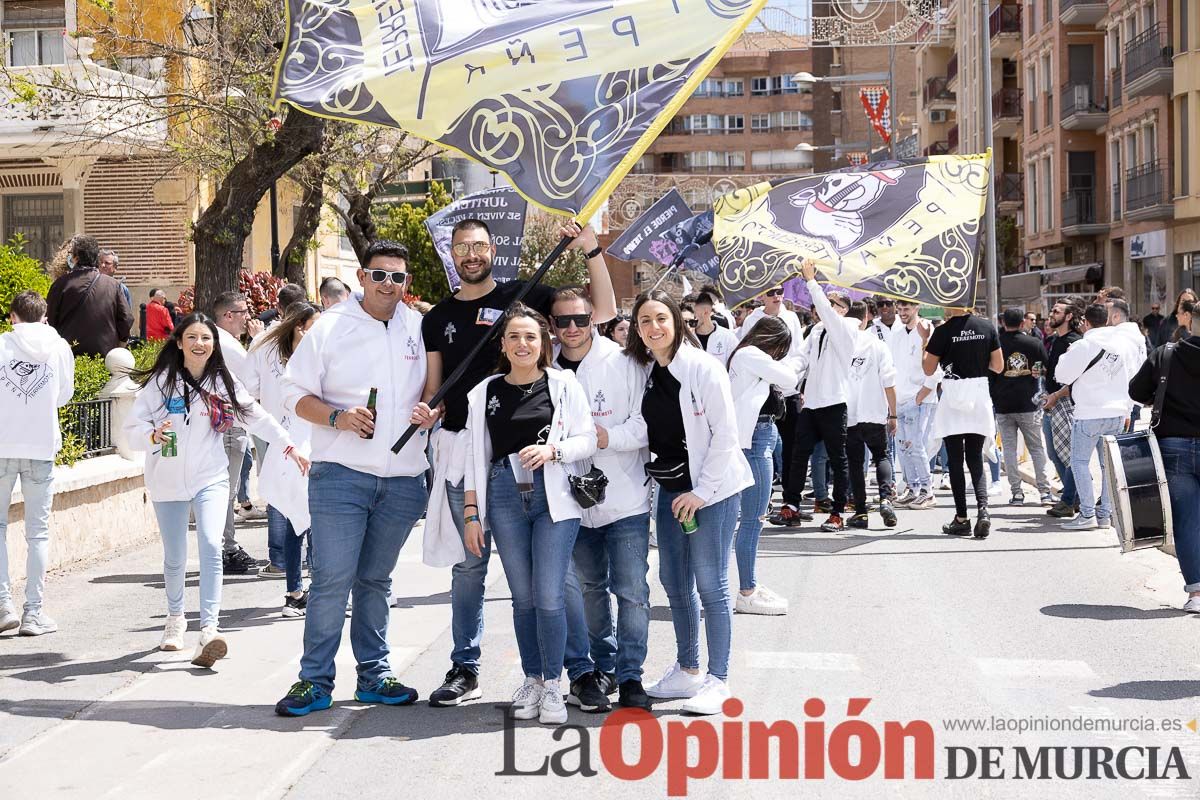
{"type": "Point", "coordinates": [614, 386]}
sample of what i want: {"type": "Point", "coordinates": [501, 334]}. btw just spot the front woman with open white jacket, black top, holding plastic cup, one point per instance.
{"type": "Point", "coordinates": [524, 428]}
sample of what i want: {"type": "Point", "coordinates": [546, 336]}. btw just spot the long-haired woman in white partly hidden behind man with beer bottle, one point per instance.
{"type": "Point", "coordinates": [265, 380]}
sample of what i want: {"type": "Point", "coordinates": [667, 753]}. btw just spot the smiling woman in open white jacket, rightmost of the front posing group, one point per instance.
{"type": "Point", "coordinates": [699, 466]}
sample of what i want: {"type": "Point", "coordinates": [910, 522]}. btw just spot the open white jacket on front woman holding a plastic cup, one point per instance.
{"type": "Point", "coordinates": [571, 430]}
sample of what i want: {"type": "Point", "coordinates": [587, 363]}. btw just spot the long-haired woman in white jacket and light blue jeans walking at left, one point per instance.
{"type": "Point", "coordinates": [187, 396]}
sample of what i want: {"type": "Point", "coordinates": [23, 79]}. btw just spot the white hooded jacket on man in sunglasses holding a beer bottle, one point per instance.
{"type": "Point", "coordinates": [341, 358]}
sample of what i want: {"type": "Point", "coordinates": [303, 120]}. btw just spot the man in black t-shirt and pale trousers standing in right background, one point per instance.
{"type": "Point", "coordinates": [1012, 395]}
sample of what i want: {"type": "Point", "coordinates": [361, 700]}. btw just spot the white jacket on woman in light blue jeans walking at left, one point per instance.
{"type": "Point", "coordinates": [201, 460]}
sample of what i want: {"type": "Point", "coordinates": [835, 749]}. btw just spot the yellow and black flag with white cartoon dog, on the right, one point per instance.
{"type": "Point", "coordinates": [908, 230]}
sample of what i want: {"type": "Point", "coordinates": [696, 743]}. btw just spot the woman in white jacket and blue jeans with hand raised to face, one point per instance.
{"type": "Point", "coordinates": [760, 374]}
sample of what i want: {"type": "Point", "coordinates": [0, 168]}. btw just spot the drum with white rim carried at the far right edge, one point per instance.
{"type": "Point", "coordinates": [1142, 506]}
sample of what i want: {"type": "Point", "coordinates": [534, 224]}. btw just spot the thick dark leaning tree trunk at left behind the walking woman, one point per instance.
{"type": "Point", "coordinates": [221, 231]}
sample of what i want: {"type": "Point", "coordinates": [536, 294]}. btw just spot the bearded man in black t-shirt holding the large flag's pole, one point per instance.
{"type": "Point", "coordinates": [451, 332]}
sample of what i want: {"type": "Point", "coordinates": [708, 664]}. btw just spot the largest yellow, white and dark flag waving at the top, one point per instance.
{"type": "Point", "coordinates": [561, 97]}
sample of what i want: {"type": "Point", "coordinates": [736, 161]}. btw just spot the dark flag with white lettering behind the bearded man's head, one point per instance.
{"type": "Point", "coordinates": [502, 210]}
